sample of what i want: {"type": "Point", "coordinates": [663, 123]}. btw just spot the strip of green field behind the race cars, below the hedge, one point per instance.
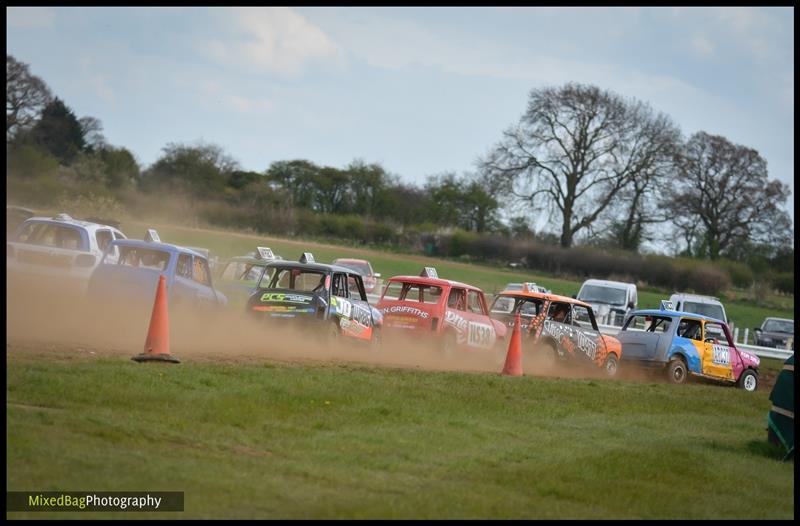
{"type": "Point", "coordinates": [491, 279]}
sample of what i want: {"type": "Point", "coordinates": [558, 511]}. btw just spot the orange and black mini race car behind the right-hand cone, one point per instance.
{"type": "Point", "coordinates": [557, 329]}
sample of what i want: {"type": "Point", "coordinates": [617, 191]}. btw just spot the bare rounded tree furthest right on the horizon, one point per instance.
{"type": "Point", "coordinates": [722, 198]}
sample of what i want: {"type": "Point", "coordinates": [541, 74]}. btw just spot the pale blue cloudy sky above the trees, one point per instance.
{"type": "Point", "coordinates": [422, 91]}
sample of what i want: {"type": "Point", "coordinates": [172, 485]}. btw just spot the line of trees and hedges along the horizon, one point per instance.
{"type": "Point", "coordinates": [582, 166]}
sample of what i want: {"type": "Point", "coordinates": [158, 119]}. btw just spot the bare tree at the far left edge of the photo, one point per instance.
{"type": "Point", "coordinates": [26, 97]}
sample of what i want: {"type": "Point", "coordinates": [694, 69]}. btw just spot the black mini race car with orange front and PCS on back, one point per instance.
{"type": "Point", "coordinates": [328, 297]}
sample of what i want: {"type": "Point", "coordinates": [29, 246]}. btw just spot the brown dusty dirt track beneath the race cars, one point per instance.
{"type": "Point", "coordinates": [42, 322]}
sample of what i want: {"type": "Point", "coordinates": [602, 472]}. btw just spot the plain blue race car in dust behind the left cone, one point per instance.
{"type": "Point", "coordinates": [132, 277]}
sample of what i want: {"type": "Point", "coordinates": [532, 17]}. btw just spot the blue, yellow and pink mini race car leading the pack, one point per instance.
{"type": "Point", "coordinates": [686, 343]}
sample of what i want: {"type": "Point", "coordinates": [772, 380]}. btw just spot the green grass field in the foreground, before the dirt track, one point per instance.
{"type": "Point", "coordinates": [271, 439]}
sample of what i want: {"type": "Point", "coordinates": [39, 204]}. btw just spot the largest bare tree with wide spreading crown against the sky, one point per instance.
{"type": "Point", "coordinates": [574, 150]}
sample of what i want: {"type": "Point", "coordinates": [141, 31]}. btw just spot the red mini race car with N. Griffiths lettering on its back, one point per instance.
{"type": "Point", "coordinates": [453, 315]}
